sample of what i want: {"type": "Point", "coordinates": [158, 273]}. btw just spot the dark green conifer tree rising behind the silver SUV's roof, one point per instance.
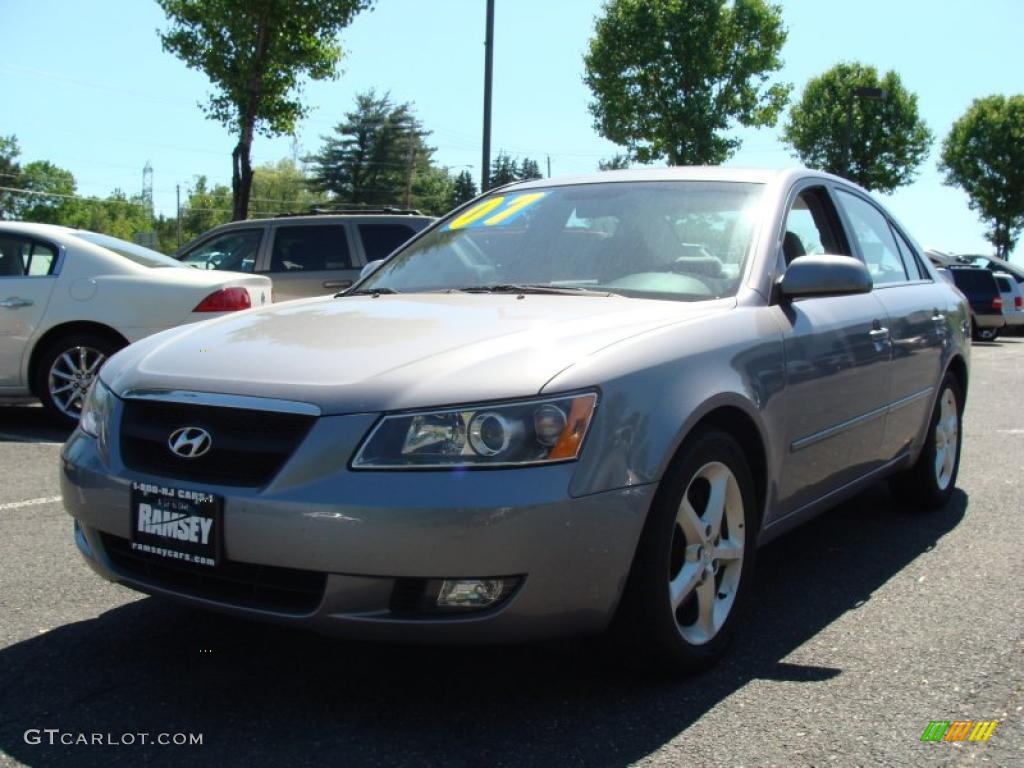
{"type": "Point", "coordinates": [375, 156]}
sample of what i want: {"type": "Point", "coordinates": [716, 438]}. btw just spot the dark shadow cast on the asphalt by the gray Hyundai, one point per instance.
{"type": "Point", "coordinates": [269, 695]}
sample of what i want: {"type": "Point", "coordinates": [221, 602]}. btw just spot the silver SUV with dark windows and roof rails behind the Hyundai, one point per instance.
{"type": "Point", "coordinates": [305, 255]}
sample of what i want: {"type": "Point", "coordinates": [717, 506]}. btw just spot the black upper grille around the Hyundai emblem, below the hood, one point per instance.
{"type": "Point", "coordinates": [248, 447]}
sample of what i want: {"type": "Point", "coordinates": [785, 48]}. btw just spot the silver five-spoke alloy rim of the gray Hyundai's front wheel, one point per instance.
{"type": "Point", "coordinates": [707, 553]}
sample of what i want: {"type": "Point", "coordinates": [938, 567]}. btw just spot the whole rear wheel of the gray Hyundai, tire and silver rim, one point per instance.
{"type": "Point", "coordinates": [931, 482]}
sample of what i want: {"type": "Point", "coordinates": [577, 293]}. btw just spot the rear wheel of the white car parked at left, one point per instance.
{"type": "Point", "coordinates": [66, 370]}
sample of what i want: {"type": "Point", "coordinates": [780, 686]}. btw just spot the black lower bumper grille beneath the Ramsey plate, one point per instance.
{"type": "Point", "coordinates": [239, 584]}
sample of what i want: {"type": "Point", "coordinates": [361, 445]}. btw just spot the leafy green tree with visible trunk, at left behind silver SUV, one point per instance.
{"type": "Point", "coordinates": [255, 54]}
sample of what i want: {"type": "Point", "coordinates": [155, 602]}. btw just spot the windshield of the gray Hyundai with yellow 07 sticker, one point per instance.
{"type": "Point", "coordinates": [667, 240]}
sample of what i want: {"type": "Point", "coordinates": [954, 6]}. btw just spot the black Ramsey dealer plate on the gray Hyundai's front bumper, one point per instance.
{"type": "Point", "coordinates": [177, 524]}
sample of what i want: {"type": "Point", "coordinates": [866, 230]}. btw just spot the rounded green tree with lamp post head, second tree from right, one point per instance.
{"type": "Point", "coordinates": [888, 141]}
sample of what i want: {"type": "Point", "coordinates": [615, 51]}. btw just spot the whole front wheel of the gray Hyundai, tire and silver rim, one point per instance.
{"type": "Point", "coordinates": [690, 580]}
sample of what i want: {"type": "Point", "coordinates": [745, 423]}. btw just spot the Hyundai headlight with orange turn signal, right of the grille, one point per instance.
{"type": "Point", "coordinates": [536, 432]}
